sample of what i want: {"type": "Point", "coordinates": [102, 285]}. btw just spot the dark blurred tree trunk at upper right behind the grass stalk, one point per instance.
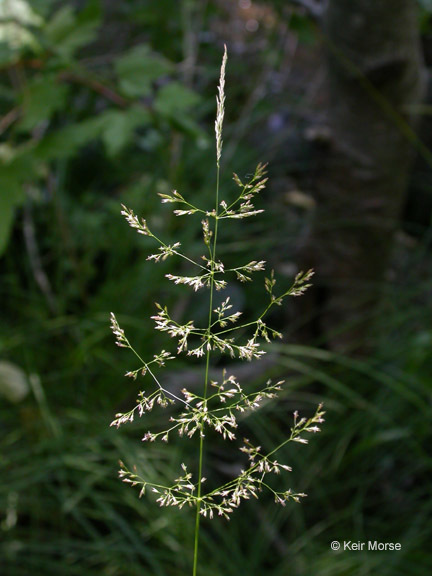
{"type": "Point", "coordinates": [374, 70]}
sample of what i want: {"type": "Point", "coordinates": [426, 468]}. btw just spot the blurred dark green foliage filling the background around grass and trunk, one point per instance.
{"type": "Point", "coordinates": [104, 103]}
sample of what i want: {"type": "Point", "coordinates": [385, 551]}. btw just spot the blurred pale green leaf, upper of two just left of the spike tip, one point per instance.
{"type": "Point", "coordinates": [138, 69]}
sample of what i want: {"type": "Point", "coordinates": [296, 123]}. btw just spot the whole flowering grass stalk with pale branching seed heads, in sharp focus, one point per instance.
{"type": "Point", "coordinates": [217, 404]}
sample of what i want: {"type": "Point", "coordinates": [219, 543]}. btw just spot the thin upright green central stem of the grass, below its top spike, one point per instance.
{"type": "Point", "coordinates": [206, 379]}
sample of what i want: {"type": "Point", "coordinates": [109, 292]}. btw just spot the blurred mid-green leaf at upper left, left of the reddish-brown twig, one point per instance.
{"type": "Point", "coordinates": [42, 98]}
